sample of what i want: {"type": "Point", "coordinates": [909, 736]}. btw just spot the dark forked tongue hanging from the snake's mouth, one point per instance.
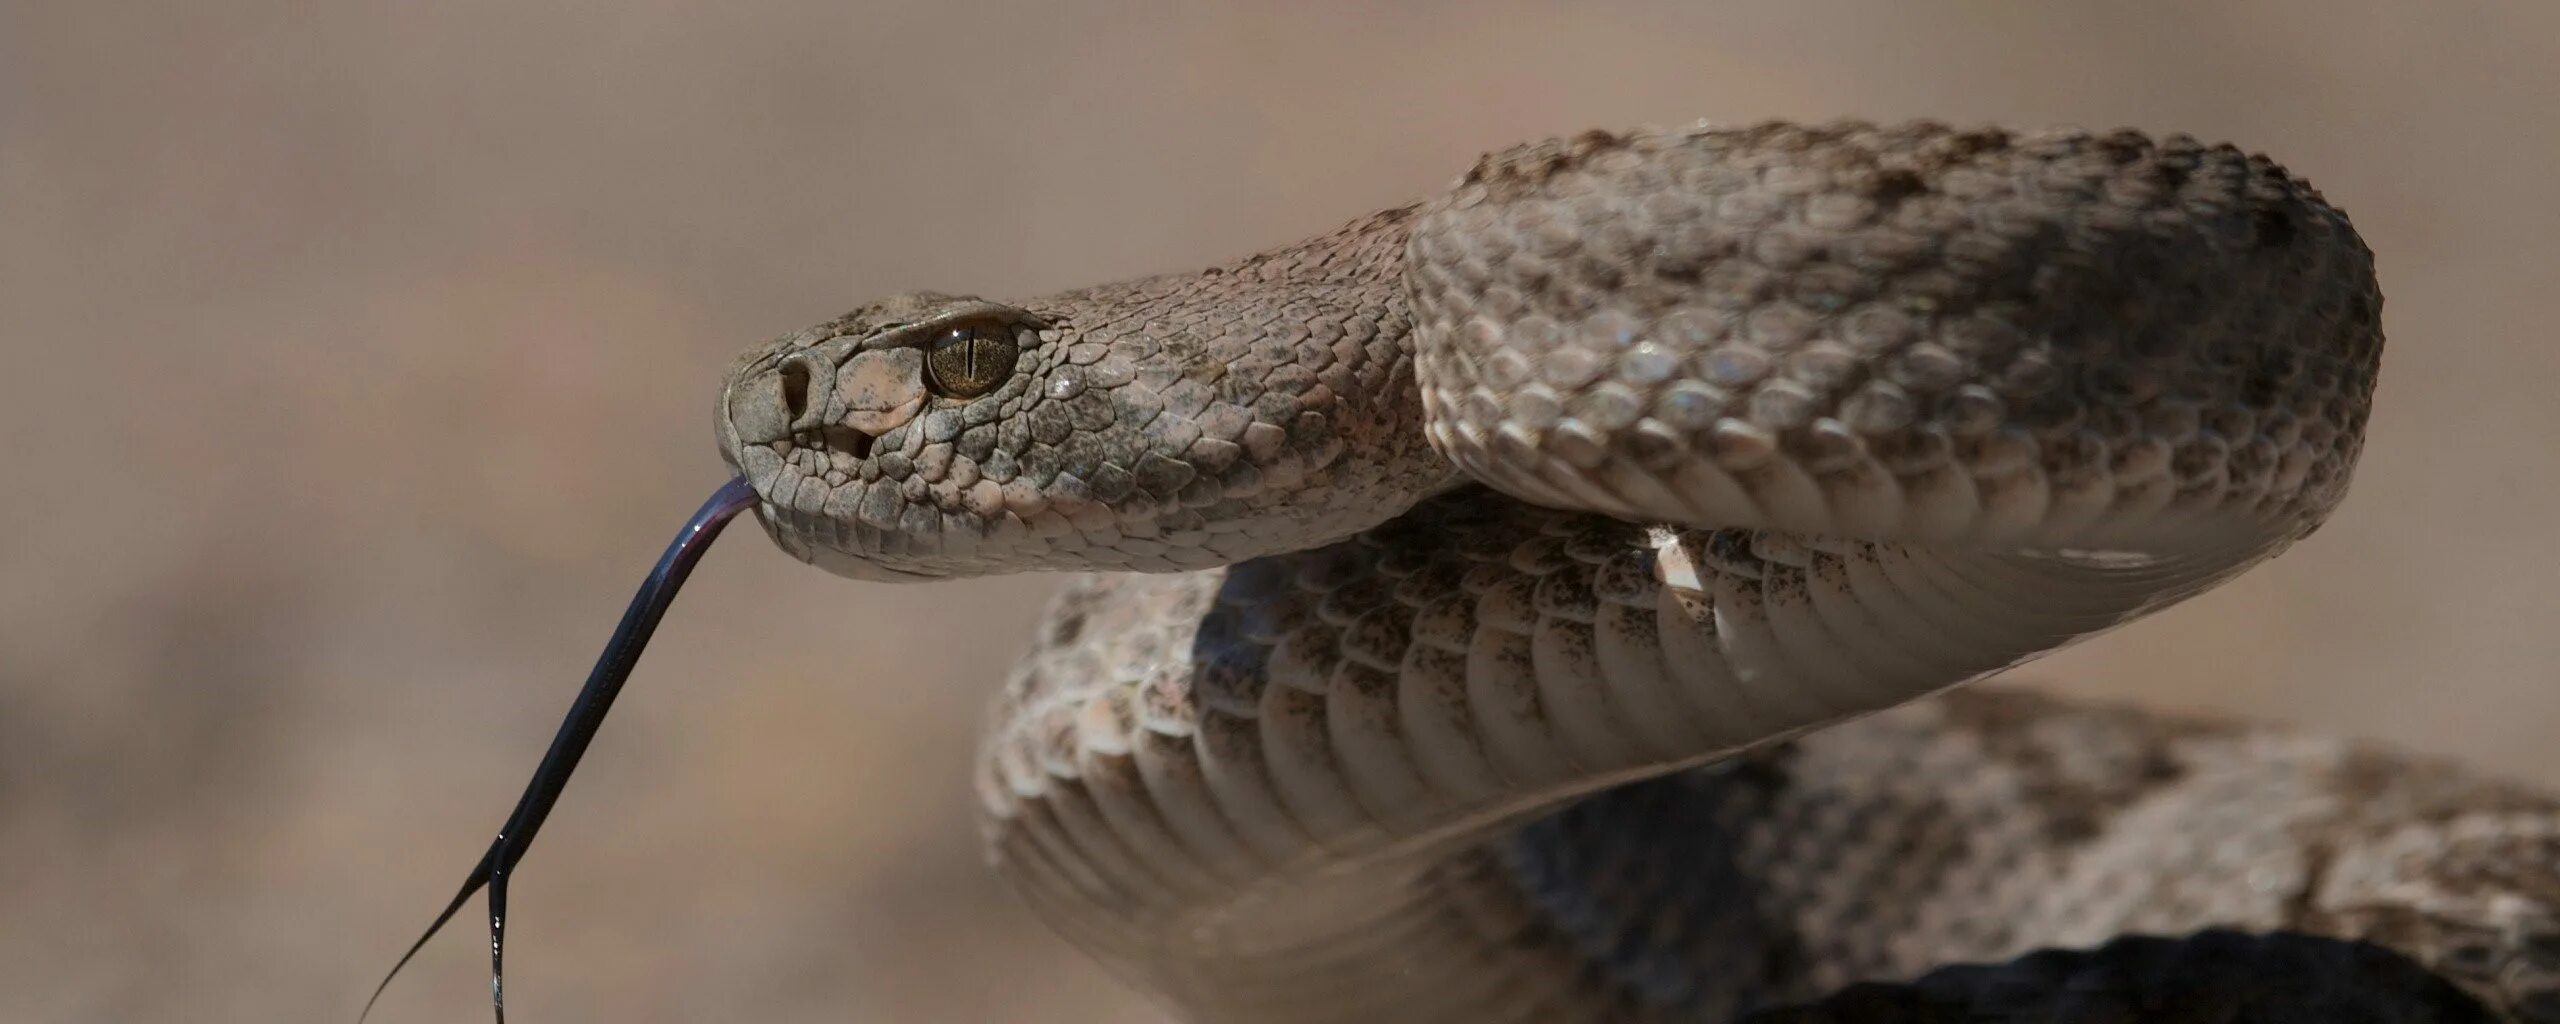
{"type": "Point", "coordinates": [598, 698]}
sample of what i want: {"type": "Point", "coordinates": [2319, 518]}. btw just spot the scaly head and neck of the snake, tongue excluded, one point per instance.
{"type": "Point", "coordinates": [1153, 426]}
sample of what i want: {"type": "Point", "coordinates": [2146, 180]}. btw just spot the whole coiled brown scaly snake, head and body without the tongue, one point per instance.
{"type": "Point", "coordinates": [1548, 603]}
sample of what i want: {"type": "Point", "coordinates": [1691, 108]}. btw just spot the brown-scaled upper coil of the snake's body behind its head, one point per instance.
{"type": "Point", "coordinates": [1844, 291]}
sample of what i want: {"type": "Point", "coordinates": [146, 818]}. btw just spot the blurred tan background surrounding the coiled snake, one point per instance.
{"type": "Point", "coordinates": [357, 360]}
